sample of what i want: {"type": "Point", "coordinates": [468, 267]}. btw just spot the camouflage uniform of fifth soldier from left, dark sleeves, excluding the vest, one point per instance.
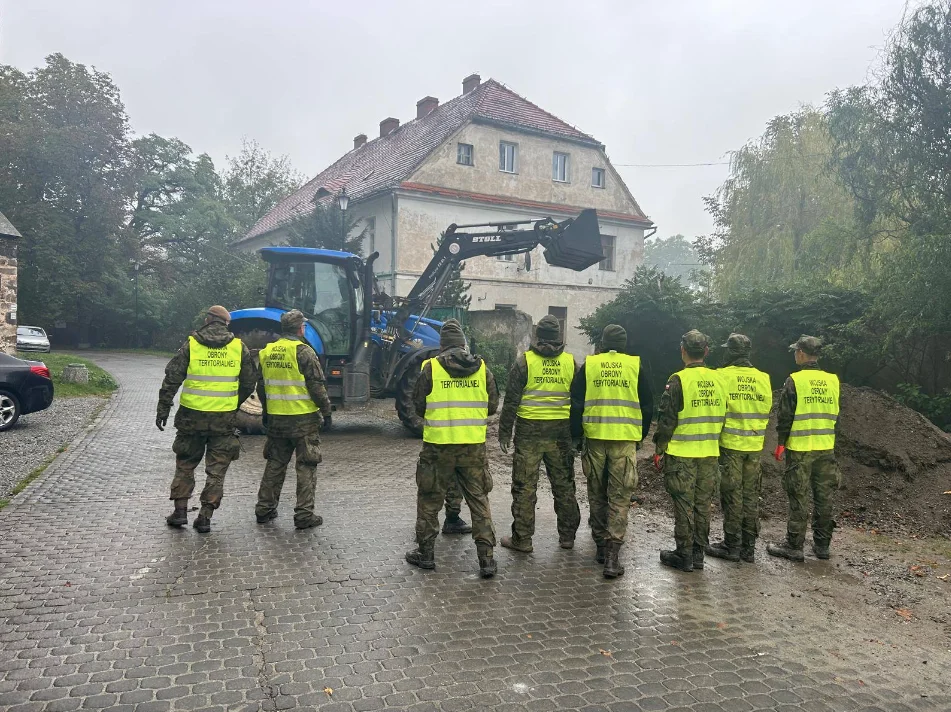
{"type": "Point", "coordinates": [610, 466]}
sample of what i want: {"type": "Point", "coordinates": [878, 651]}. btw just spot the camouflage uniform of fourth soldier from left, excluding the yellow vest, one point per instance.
{"type": "Point", "coordinates": [538, 441]}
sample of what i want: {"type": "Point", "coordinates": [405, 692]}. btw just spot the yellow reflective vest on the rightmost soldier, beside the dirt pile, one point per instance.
{"type": "Point", "coordinates": [817, 409]}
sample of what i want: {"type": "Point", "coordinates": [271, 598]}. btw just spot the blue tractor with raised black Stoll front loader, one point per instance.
{"type": "Point", "coordinates": [370, 344]}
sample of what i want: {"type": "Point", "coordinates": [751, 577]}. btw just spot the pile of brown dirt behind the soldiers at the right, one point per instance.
{"type": "Point", "coordinates": [896, 467]}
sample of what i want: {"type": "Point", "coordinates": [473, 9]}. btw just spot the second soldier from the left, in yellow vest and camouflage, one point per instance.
{"type": "Point", "coordinates": [293, 392]}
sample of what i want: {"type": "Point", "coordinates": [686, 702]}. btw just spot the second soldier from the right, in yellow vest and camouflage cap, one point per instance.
{"type": "Point", "coordinates": [749, 397]}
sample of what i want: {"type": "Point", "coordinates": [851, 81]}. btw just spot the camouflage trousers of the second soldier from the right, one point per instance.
{"type": "Point", "coordinates": [741, 478]}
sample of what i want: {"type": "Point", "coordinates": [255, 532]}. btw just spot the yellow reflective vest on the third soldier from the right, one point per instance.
{"type": "Point", "coordinates": [699, 423]}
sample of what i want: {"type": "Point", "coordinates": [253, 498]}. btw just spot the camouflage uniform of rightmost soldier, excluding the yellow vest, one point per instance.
{"type": "Point", "coordinates": [816, 471]}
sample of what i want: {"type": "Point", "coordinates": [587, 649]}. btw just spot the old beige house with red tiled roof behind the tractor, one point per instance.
{"type": "Point", "coordinates": [488, 155]}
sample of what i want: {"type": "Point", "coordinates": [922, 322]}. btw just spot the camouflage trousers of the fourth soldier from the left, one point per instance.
{"type": "Point", "coordinates": [559, 460]}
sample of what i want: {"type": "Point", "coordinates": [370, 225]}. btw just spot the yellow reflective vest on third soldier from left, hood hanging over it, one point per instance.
{"type": "Point", "coordinates": [457, 409]}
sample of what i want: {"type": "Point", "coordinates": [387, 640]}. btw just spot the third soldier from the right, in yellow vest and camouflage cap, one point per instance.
{"type": "Point", "coordinates": [687, 445]}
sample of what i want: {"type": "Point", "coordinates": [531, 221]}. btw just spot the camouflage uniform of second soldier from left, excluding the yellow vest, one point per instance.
{"type": "Point", "coordinates": [288, 435]}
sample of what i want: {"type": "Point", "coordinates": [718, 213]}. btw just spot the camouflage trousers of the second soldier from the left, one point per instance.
{"type": "Point", "coordinates": [278, 452]}
